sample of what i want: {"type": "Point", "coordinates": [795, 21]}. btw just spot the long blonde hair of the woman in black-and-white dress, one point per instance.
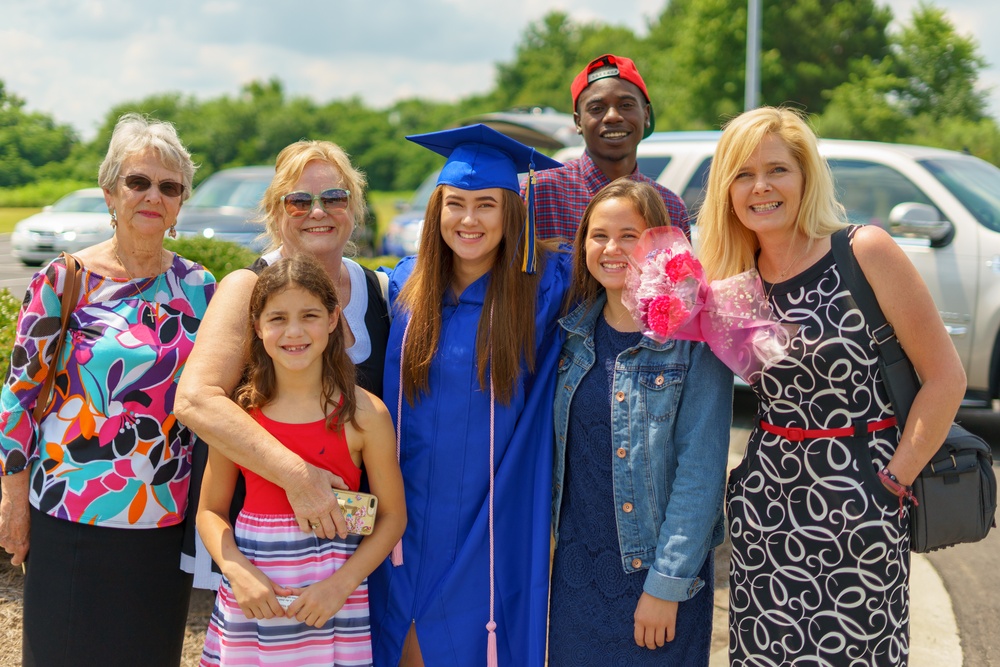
{"type": "Point", "coordinates": [726, 246]}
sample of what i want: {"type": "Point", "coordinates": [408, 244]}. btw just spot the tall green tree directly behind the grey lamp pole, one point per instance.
{"type": "Point", "coordinates": [807, 48]}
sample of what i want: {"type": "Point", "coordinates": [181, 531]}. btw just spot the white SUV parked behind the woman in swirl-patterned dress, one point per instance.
{"type": "Point", "coordinates": [941, 206]}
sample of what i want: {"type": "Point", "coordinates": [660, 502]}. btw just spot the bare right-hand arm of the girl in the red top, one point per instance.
{"type": "Point", "coordinates": [322, 600]}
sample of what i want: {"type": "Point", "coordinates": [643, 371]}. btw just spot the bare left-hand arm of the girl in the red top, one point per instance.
{"type": "Point", "coordinates": [254, 591]}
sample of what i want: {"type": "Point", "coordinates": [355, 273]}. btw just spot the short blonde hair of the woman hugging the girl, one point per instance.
{"type": "Point", "coordinates": [288, 168]}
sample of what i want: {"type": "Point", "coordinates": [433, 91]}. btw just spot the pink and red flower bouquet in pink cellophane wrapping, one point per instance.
{"type": "Point", "coordinates": [668, 297]}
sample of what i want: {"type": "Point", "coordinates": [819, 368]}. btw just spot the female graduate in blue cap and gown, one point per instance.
{"type": "Point", "coordinates": [469, 378]}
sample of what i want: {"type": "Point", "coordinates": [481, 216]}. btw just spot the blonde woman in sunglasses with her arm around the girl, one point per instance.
{"type": "Point", "coordinates": [312, 206]}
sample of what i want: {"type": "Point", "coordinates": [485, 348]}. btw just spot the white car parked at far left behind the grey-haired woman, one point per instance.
{"type": "Point", "coordinates": [78, 220]}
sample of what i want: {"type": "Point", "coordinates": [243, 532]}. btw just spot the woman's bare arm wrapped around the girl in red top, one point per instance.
{"type": "Point", "coordinates": [203, 404]}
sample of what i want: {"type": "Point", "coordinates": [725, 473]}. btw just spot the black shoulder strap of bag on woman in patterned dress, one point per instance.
{"type": "Point", "coordinates": [897, 371]}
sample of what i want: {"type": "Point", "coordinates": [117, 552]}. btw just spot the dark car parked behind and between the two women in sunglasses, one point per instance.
{"type": "Point", "coordinates": [225, 207]}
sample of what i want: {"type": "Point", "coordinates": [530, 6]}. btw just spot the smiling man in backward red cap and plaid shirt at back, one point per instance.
{"type": "Point", "coordinates": [612, 112]}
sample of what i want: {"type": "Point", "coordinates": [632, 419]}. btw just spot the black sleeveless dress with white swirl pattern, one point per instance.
{"type": "Point", "coordinates": [820, 565]}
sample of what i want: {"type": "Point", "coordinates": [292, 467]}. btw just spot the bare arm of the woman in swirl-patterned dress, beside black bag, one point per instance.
{"type": "Point", "coordinates": [909, 308]}
